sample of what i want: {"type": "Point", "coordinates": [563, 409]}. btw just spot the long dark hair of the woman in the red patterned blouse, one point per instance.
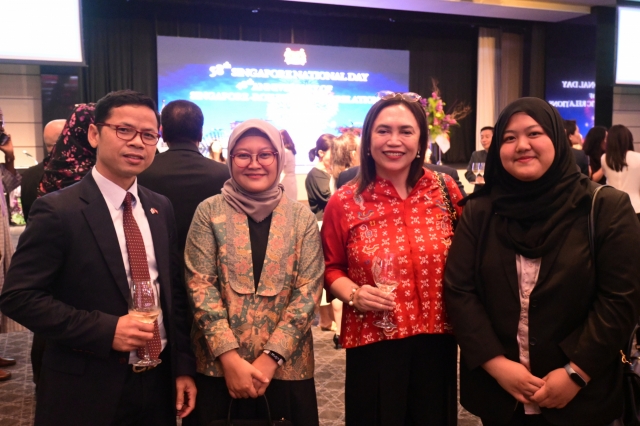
{"type": "Point", "coordinates": [367, 165]}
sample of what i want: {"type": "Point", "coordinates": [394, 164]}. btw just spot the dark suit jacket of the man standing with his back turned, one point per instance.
{"type": "Point", "coordinates": [187, 178]}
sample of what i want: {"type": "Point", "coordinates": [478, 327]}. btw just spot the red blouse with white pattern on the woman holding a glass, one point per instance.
{"type": "Point", "coordinates": [418, 229]}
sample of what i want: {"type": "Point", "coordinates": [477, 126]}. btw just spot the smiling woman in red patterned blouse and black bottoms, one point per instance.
{"type": "Point", "coordinates": [404, 376]}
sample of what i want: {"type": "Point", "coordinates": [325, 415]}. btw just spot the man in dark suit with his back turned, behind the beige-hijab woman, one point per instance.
{"type": "Point", "coordinates": [182, 174]}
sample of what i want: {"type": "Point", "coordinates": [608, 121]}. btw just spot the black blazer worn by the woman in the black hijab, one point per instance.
{"type": "Point", "coordinates": [578, 311]}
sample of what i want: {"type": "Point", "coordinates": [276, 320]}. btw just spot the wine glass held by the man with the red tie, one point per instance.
{"type": "Point", "coordinates": [144, 306]}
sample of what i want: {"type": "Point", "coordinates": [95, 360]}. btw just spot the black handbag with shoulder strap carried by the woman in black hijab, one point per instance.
{"type": "Point", "coordinates": [630, 359]}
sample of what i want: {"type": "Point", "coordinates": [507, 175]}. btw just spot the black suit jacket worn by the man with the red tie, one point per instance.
{"type": "Point", "coordinates": [67, 282]}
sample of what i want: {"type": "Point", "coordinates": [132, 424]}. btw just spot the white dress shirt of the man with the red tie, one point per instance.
{"type": "Point", "coordinates": [114, 197]}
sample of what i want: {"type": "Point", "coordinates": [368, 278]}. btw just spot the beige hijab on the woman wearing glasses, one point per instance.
{"type": "Point", "coordinates": [255, 205]}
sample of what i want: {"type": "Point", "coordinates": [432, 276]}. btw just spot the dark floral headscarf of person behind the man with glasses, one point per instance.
{"type": "Point", "coordinates": [72, 156]}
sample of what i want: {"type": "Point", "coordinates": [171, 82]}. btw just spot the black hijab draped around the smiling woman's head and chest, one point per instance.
{"type": "Point", "coordinates": [535, 216]}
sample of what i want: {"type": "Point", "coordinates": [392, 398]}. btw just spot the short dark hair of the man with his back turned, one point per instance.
{"type": "Point", "coordinates": [182, 122]}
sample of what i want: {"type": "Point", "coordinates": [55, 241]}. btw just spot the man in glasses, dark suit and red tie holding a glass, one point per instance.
{"type": "Point", "coordinates": [69, 280]}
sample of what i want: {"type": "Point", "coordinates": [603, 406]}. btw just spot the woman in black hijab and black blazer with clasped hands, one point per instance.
{"type": "Point", "coordinates": [539, 317]}
